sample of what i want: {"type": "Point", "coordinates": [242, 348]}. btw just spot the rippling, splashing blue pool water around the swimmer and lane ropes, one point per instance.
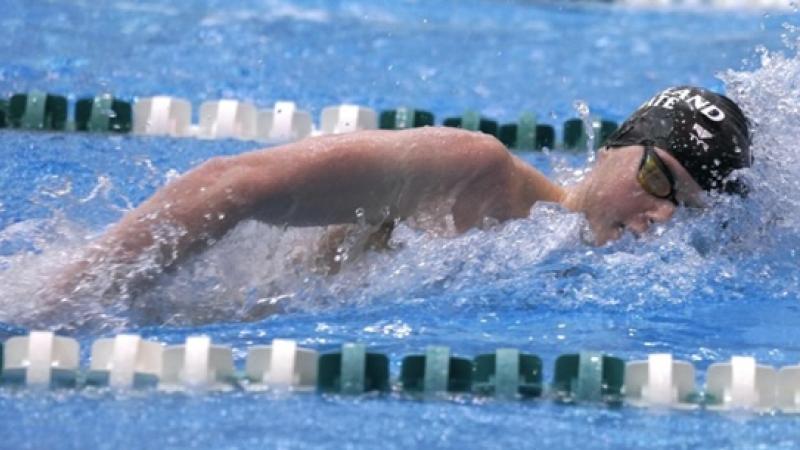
{"type": "Point", "coordinates": [695, 288]}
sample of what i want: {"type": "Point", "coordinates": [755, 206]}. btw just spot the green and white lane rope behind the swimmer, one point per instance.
{"type": "Point", "coordinates": [232, 119]}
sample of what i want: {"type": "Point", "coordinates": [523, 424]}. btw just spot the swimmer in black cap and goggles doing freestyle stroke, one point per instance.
{"type": "Point", "coordinates": [681, 143]}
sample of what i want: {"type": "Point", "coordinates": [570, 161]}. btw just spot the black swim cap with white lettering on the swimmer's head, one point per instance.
{"type": "Point", "coordinates": [705, 131]}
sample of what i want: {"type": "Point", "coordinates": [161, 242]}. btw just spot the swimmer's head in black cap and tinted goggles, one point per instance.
{"type": "Point", "coordinates": [682, 142]}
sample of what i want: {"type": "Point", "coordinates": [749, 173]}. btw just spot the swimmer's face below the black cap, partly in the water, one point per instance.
{"type": "Point", "coordinates": [616, 202]}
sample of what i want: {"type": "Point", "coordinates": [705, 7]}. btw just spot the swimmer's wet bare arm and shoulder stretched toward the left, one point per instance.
{"type": "Point", "coordinates": [321, 181]}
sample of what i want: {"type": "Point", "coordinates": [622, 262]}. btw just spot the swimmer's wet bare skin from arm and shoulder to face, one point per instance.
{"type": "Point", "coordinates": [440, 173]}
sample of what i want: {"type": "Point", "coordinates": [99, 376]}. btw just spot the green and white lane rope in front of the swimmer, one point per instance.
{"type": "Point", "coordinates": [43, 360]}
